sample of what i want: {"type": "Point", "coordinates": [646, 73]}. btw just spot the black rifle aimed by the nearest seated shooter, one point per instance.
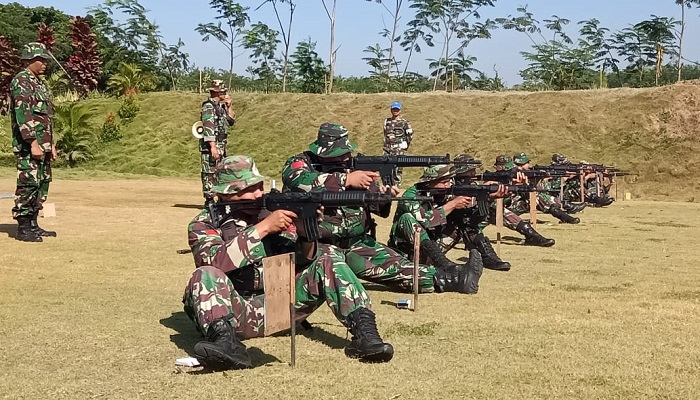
{"type": "Point", "coordinates": [303, 204]}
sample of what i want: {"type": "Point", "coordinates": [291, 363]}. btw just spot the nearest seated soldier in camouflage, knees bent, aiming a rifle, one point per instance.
{"type": "Point", "coordinates": [225, 297]}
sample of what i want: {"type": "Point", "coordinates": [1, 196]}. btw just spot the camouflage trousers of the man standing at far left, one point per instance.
{"type": "Point", "coordinates": [33, 178]}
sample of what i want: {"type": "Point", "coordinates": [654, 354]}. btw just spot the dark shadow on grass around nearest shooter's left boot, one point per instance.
{"type": "Point", "coordinates": [187, 336]}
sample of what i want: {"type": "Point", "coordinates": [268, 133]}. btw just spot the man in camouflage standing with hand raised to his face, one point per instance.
{"type": "Point", "coordinates": [217, 117]}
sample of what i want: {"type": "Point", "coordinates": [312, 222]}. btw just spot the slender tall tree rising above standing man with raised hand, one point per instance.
{"type": "Point", "coordinates": [236, 17]}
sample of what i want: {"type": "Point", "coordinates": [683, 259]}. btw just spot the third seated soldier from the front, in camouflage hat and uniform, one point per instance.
{"type": "Point", "coordinates": [430, 220]}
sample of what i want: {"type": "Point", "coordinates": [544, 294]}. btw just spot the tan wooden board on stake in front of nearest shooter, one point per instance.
{"type": "Point", "coordinates": [278, 276]}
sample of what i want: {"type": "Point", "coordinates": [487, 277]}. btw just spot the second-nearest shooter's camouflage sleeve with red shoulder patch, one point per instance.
{"type": "Point", "coordinates": [298, 175]}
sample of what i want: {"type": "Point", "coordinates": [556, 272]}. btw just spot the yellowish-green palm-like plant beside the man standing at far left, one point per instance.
{"type": "Point", "coordinates": [74, 140]}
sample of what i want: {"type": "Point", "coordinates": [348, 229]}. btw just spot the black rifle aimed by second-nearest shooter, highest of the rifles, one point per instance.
{"type": "Point", "coordinates": [386, 164]}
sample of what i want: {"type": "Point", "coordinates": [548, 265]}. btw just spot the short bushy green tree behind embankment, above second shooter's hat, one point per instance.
{"type": "Point", "coordinates": [308, 68]}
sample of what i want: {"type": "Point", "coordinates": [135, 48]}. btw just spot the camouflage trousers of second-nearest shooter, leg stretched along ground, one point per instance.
{"type": "Point", "coordinates": [375, 262]}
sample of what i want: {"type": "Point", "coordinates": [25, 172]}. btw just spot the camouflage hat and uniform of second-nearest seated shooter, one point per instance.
{"type": "Point", "coordinates": [348, 227]}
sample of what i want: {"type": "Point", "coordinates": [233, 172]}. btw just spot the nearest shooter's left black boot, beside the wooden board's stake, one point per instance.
{"type": "Point", "coordinates": [222, 350]}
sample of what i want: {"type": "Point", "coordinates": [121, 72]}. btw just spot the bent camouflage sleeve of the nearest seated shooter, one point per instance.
{"type": "Point", "coordinates": [209, 248]}
